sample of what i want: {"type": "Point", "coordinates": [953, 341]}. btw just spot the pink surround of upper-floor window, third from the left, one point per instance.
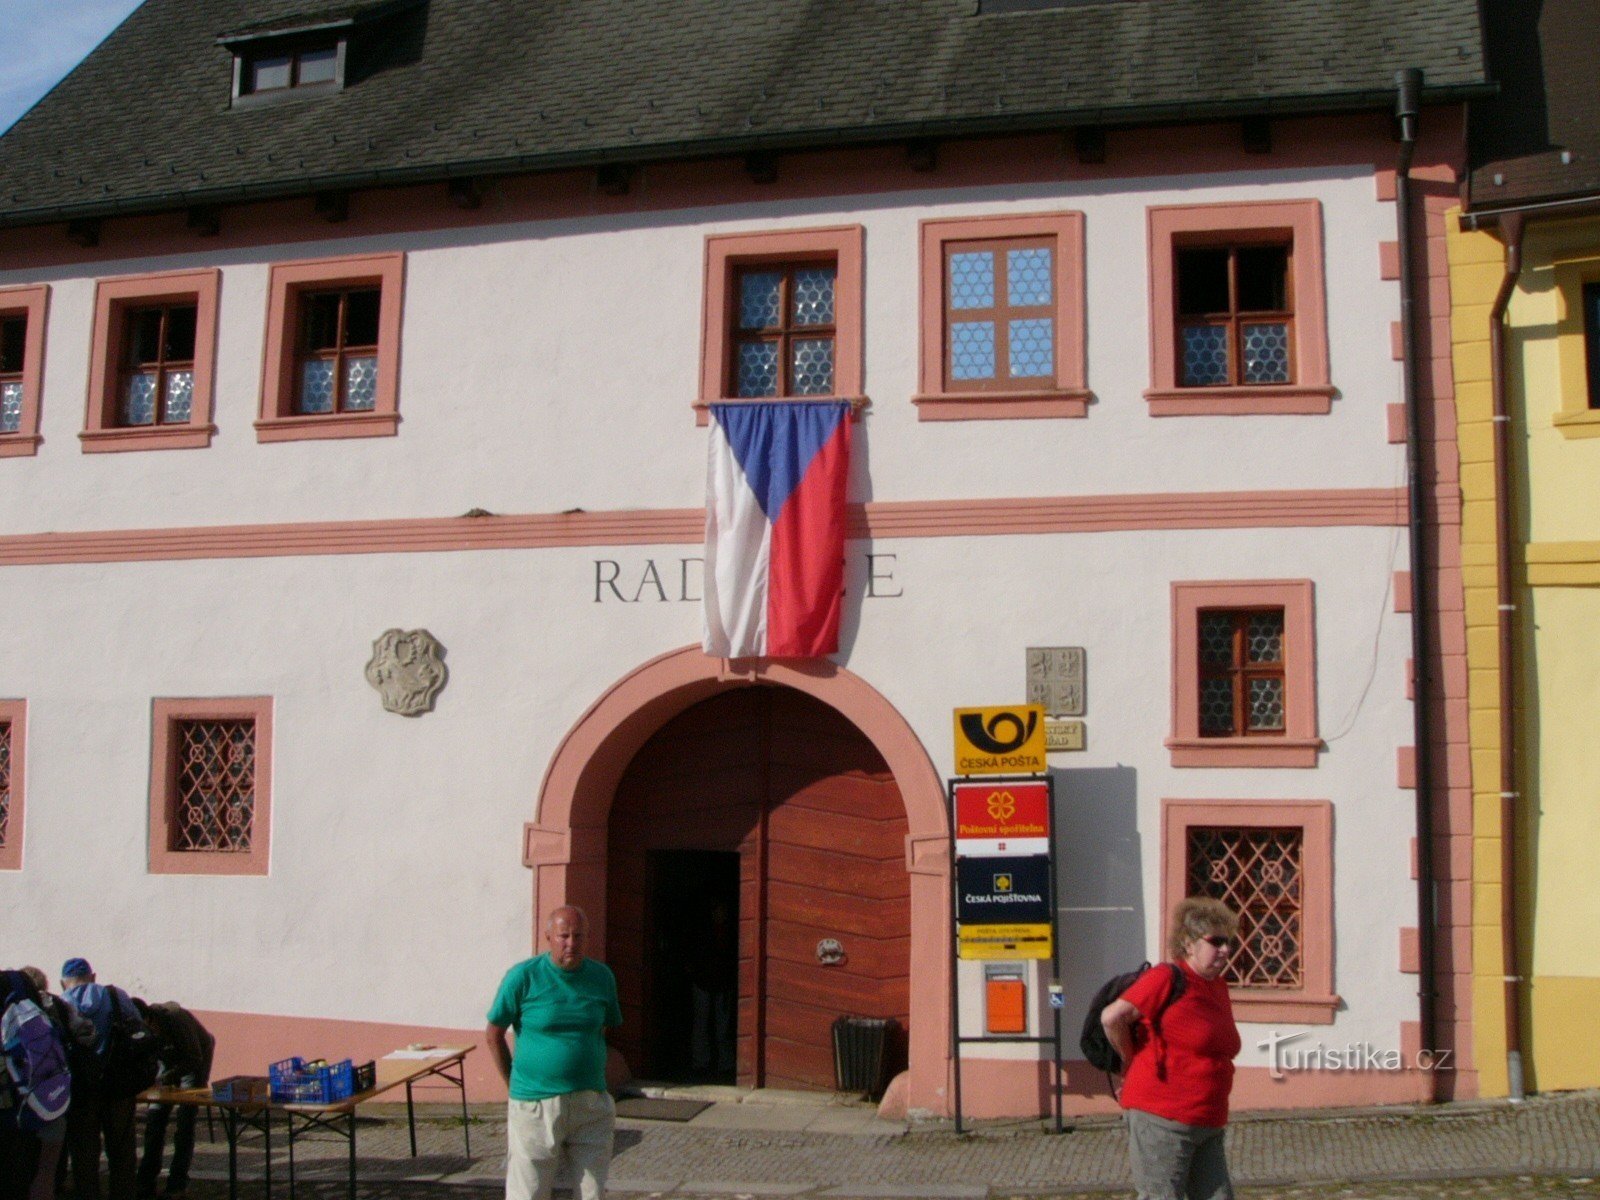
{"type": "Point", "coordinates": [279, 422]}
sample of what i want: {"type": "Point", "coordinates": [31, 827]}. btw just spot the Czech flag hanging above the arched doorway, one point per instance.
{"type": "Point", "coordinates": [775, 527]}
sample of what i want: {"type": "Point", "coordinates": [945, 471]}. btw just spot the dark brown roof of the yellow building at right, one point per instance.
{"type": "Point", "coordinates": [1540, 138]}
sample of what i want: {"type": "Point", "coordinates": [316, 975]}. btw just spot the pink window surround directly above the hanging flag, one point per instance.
{"type": "Point", "coordinates": [846, 246]}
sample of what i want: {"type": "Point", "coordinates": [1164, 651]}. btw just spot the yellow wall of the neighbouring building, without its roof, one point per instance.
{"type": "Point", "coordinates": [1556, 490]}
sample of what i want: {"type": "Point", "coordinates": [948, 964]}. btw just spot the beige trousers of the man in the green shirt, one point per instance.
{"type": "Point", "coordinates": [538, 1134]}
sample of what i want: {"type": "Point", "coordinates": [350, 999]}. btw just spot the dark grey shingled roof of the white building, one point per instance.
{"type": "Point", "coordinates": [479, 87]}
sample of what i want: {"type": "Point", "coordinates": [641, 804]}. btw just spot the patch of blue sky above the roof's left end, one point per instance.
{"type": "Point", "coordinates": [44, 41]}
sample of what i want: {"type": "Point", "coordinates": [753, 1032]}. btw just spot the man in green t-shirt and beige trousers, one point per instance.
{"type": "Point", "coordinates": [559, 1006]}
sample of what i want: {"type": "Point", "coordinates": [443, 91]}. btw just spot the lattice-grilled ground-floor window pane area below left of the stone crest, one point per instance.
{"type": "Point", "coordinates": [214, 786]}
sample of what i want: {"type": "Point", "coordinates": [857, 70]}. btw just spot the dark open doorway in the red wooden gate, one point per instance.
{"type": "Point", "coordinates": [694, 966]}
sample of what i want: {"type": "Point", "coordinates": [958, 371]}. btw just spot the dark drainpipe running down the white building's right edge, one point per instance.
{"type": "Point", "coordinates": [1409, 103]}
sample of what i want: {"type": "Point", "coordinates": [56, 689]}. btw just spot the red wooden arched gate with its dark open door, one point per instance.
{"type": "Point", "coordinates": [753, 830]}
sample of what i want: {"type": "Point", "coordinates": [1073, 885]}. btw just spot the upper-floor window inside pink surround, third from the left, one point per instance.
{"type": "Point", "coordinates": [337, 369]}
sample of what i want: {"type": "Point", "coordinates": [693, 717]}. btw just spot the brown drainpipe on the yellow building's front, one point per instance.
{"type": "Point", "coordinates": [1506, 618]}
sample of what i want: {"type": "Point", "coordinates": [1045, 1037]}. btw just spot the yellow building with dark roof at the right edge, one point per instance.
{"type": "Point", "coordinates": [1526, 282]}
